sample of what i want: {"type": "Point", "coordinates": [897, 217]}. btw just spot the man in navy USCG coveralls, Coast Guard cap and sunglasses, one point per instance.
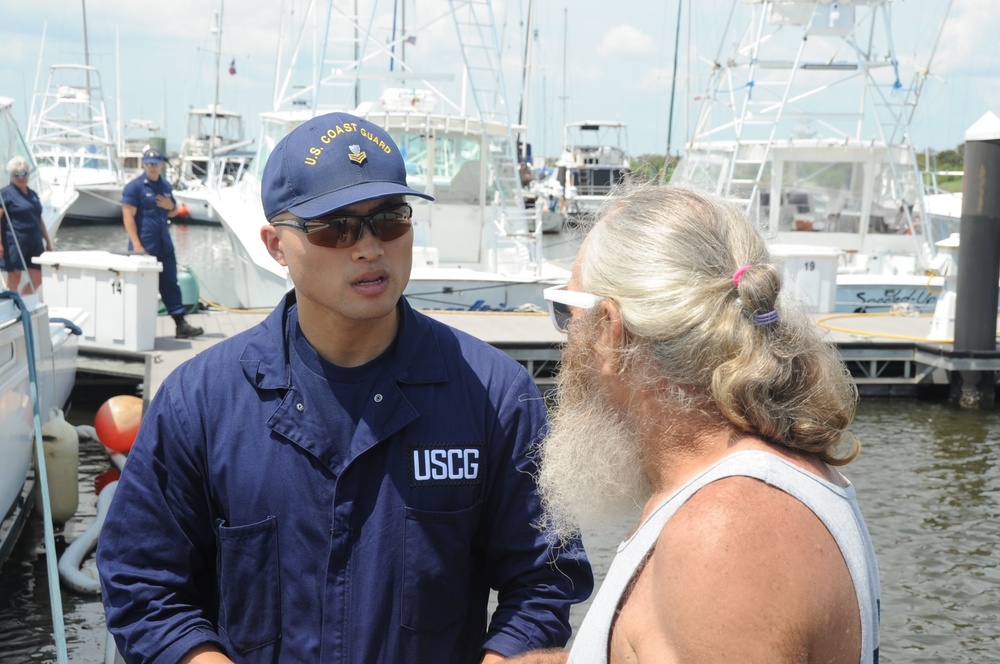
{"type": "Point", "coordinates": [348, 480]}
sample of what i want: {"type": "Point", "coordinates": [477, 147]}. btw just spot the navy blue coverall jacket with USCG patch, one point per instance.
{"type": "Point", "coordinates": [236, 523]}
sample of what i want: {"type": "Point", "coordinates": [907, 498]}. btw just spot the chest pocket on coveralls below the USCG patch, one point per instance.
{"type": "Point", "coordinates": [436, 566]}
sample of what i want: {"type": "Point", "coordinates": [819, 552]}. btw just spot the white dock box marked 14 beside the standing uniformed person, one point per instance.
{"type": "Point", "coordinates": [119, 292]}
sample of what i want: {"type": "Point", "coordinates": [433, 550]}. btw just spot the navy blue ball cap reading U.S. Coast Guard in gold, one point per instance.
{"type": "Point", "coordinates": [331, 162]}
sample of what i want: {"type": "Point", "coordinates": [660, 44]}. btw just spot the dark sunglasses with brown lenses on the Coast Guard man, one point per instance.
{"type": "Point", "coordinates": [340, 231]}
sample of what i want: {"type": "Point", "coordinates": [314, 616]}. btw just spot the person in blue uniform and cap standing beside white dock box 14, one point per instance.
{"type": "Point", "coordinates": [147, 203]}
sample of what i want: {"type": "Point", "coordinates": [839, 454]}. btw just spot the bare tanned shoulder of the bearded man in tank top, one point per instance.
{"type": "Point", "coordinates": [745, 572]}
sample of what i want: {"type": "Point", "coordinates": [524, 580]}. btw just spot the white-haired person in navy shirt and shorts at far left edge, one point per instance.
{"type": "Point", "coordinates": [22, 228]}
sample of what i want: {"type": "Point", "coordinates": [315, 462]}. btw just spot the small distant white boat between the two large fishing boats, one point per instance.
{"type": "Point", "coordinates": [593, 162]}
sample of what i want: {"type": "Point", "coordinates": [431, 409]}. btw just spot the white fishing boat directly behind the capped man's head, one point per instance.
{"type": "Point", "coordinates": [472, 247]}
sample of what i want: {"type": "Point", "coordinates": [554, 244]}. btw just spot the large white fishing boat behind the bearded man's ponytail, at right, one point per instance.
{"type": "Point", "coordinates": [806, 122]}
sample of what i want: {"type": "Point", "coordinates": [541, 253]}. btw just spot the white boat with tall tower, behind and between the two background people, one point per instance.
{"type": "Point", "coordinates": [69, 137]}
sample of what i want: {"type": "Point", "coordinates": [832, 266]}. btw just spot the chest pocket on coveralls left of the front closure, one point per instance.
{"type": "Point", "coordinates": [249, 584]}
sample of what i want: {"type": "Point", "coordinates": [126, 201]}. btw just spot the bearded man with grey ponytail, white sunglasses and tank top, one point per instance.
{"type": "Point", "coordinates": [689, 391]}
